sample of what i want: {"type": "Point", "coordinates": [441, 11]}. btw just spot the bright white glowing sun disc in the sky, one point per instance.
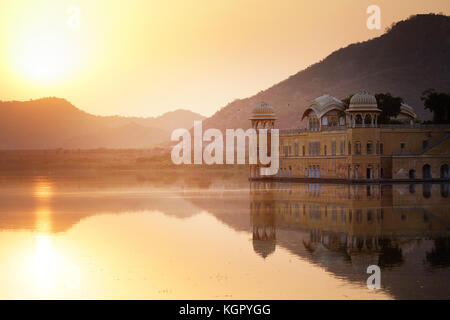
{"type": "Point", "coordinates": [45, 59]}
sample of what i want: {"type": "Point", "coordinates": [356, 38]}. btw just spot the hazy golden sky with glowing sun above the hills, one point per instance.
{"type": "Point", "coordinates": [147, 57]}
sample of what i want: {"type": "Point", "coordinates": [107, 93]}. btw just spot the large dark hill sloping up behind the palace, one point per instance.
{"type": "Point", "coordinates": [412, 56]}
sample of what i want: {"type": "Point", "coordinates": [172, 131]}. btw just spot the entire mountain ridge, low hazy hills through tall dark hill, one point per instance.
{"type": "Point", "coordinates": [409, 58]}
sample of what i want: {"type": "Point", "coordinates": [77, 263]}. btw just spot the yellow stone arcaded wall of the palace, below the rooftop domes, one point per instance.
{"type": "Point", "coordinates": [401, 149]}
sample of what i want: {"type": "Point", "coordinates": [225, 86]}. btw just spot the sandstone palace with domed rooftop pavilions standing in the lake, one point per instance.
{"type": "Point", "coordinates": [349, 144]}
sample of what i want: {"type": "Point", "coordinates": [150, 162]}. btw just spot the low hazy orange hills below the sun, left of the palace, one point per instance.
{"type": "Point", "coordinates": [55, 123]}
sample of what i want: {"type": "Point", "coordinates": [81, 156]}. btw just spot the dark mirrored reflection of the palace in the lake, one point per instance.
{"type": "Point", "coordinates": [404, 229]}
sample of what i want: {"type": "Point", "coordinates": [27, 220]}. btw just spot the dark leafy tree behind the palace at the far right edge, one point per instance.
{"type": "Point", "coordinates": [438, 103]}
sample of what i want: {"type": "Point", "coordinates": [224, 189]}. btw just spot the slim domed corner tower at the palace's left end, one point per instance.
{"type": "Point", "coordinates": [263, 117]}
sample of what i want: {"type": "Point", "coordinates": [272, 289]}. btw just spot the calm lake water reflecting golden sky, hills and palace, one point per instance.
{"type": "Point", "coordinates": [132, 238]}
